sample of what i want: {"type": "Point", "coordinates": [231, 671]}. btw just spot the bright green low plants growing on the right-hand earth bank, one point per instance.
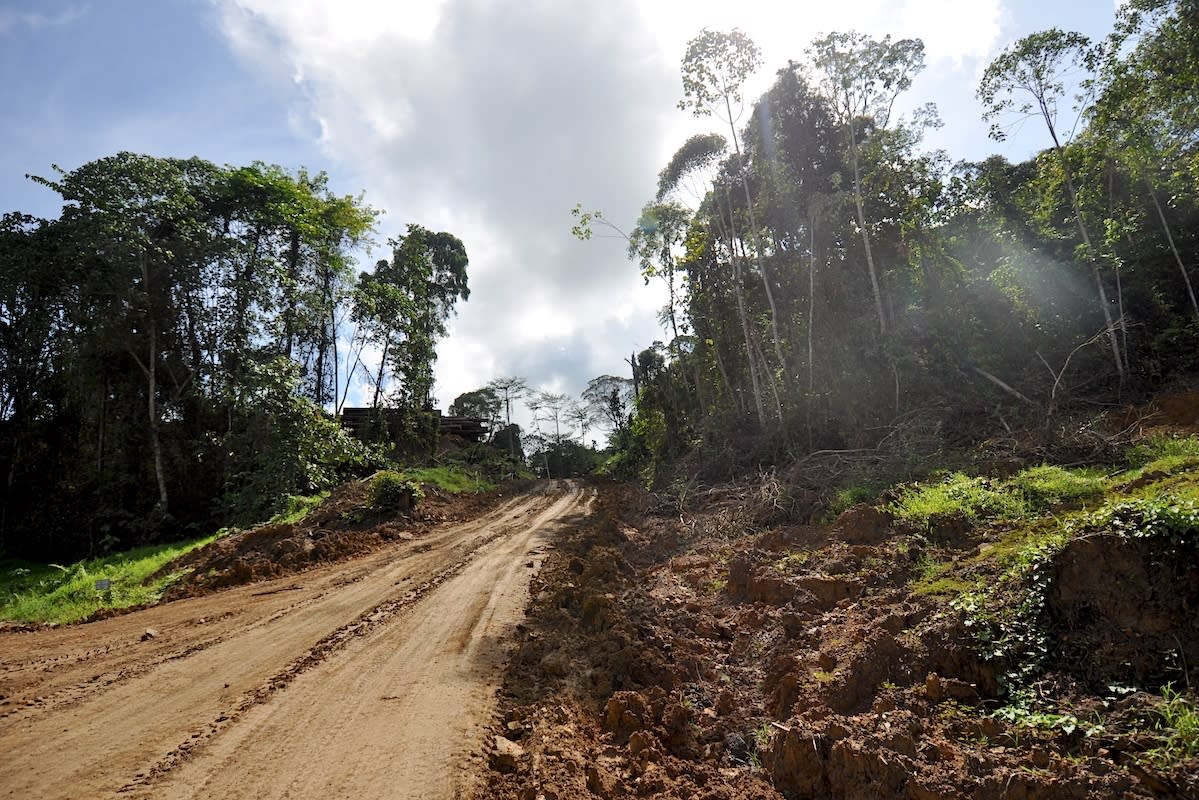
{"type": "Point", "coordinates": [1001, 590]}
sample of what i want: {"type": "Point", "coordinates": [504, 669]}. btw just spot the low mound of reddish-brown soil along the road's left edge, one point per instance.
{"type": "Point", "coordinates": [340, 528]}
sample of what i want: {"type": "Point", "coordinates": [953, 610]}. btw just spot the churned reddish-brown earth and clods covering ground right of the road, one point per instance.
{"type": "Point", "coordinates": [686, 653]}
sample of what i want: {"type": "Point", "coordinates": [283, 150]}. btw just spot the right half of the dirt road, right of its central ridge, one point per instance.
{"type": "Point", "coordinates": [396, 713]}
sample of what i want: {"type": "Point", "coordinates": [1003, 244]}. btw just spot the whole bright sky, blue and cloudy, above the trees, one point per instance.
{"type": "Point", "coordinates": [490, 119]}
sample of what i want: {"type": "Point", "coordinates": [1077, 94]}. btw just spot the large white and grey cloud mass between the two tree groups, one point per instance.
{"type": "Point", "coordinates": [493, 119]}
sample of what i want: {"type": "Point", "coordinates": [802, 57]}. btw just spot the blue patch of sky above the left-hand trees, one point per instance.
{"type": "Point", "coordinates": [88, 80]}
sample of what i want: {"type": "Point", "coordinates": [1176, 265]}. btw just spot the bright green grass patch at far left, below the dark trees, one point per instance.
{"type": "Point", "coordinates": [51, 593]}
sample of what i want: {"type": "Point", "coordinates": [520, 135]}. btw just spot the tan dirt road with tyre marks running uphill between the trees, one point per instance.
{"type": "Point", "coordinates": [369, 679]}
